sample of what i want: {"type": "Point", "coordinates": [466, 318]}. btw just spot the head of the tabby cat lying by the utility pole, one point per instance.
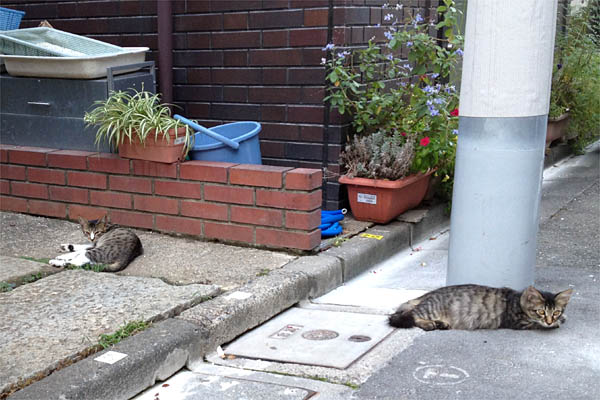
{"type": "Point", "coordinates": [544, 308]}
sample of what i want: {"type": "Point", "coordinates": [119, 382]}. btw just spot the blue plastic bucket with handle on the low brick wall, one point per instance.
{"type": "Point", "coordinates": [245, 133]}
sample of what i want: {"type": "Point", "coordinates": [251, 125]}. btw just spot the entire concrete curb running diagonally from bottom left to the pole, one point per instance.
{"type": "Point", "coordinates": [170, 345]}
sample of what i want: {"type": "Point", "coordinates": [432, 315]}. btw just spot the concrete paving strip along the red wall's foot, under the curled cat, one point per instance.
{"type": "Point", "coordinates": [174, 259]}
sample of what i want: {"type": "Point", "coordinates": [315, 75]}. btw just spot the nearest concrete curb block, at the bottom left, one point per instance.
{"type": "Point", "coordinates": [154, 354]}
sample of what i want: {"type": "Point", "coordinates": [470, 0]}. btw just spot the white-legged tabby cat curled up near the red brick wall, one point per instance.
{"type": "Point", "coordinates": [112, 246]}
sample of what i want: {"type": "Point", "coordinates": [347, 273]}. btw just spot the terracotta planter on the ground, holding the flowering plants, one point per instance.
{"type": "Point", "coordinates": [381, 201]}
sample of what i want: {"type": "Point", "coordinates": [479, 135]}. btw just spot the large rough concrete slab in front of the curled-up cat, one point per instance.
{"type": "Point", "coordinates": [59, 317]}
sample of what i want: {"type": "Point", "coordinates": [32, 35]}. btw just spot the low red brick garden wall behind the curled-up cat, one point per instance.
{"type": "Point", "coordinates": [276, 207]}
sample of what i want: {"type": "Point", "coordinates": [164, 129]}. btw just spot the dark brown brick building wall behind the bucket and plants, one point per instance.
{"type": "Point", "coordinates": [254, 60]}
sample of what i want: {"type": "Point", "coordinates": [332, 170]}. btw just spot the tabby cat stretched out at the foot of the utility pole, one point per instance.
{"type": "Point", "coordinates": [481, 307]}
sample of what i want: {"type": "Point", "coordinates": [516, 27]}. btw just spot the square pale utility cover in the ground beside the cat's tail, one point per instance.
{"type": "Point", "coordinates": [313, 337]}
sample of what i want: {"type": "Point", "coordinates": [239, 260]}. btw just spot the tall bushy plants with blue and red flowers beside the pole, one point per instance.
{"type": "Point", "coordinates": [405, 102]}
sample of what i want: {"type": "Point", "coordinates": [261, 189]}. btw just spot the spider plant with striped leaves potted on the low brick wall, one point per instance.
{"type": "Point", "coordinates": [125, 115]}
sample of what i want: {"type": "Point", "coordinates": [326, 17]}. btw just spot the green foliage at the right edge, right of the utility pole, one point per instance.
{"type": "Point", "coordinates": [576, 73]}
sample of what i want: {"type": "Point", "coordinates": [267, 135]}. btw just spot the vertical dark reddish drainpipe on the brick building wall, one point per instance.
{"type": "Point", "coordinates": [165, 50]}
